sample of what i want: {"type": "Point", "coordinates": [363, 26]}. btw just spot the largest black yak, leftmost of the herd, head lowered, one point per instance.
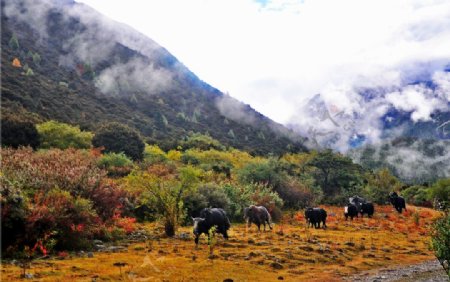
{"type": "Point", "coordinates": [210, 217]}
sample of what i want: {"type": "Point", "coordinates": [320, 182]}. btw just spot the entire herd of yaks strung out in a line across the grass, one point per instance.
{"type": "Point", "coordinates": [259, 215]}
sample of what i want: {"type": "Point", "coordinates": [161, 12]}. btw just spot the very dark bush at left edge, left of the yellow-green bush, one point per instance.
{"type": "Point", "coordinates": [16, 132]}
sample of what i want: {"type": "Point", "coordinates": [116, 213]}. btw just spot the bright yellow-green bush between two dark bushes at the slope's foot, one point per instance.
{"type": "Point", "coordinates": [59, 135]}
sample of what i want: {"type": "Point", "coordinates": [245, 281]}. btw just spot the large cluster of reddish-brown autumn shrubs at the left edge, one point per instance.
{"type": "Point", "coordinates": [57, 199]}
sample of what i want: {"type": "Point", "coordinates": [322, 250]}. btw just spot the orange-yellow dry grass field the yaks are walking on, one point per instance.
{"type": "Point", "coordinates": [289, 252]}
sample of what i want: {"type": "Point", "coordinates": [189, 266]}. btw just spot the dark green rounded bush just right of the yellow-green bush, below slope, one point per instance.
{"type": "Point", "coordinates": [117, 138]}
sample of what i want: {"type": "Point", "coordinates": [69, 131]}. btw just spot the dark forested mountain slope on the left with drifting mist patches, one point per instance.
{"type": "Point", "coordinates": [78, 66]}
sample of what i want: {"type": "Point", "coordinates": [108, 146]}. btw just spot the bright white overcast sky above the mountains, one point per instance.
{"type": "Point", "coordinates": [273, 54]}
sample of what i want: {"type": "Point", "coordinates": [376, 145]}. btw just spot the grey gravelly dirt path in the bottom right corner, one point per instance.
{"type": "Point", "coordinates": [429, 271]}
